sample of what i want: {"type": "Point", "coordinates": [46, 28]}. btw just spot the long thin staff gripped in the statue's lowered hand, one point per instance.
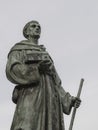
{"type": "Point", "coordinates": [75, 108]}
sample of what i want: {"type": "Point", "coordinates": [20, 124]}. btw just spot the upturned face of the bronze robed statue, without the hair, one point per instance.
{"type": "Point", "coordinates": [34, 30]}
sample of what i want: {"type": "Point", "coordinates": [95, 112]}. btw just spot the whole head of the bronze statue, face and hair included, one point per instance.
{"type": "Point", "coordinates": [32, 30]}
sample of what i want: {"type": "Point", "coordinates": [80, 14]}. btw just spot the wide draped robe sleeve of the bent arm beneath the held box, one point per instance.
{"type": "Point", "coordinates": [18, 72]}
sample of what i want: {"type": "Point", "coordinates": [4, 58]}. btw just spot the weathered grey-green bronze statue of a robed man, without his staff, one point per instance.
{"type": "Point", "coordinates": [39, 97]}
